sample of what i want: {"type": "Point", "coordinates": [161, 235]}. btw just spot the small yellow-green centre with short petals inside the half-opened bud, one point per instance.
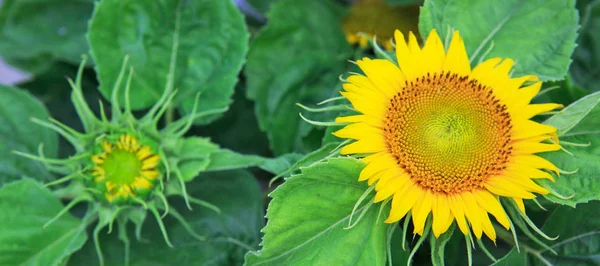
{"type": "Point", "coordinates": [125, 167]}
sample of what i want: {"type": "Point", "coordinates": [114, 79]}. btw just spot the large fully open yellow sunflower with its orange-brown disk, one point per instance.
{"type": "Point", "coordinates": [440, 137]}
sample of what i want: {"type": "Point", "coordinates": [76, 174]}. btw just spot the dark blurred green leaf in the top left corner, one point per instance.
{"type": "Point", "coordinates": [34, 32]}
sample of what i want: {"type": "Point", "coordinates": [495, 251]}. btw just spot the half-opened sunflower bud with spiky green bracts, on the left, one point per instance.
{"type": "Point", "coordinates": [126, 166]}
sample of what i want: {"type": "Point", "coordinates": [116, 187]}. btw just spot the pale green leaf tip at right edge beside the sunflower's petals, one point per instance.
{"type": "Point", "coordinates": [574, 120]}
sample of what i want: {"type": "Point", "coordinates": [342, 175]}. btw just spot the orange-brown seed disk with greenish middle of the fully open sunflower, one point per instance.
{"type": "Point", "coordinates": [448, 133]}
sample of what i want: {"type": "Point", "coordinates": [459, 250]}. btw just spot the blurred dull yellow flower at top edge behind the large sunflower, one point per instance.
{"type": "Point", "coordinates": [376, 18]}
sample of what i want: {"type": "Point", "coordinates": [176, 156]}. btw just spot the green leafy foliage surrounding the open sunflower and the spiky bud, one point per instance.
{"type": "Point", "coordinates": [249, 64]}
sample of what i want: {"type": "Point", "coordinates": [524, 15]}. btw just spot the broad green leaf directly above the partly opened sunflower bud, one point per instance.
{"type": "Point", "coordinates": [199, 46]}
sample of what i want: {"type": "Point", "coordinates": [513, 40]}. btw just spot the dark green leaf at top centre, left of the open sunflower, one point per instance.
{"type": "Point", "coordinates": [296, 59]}
